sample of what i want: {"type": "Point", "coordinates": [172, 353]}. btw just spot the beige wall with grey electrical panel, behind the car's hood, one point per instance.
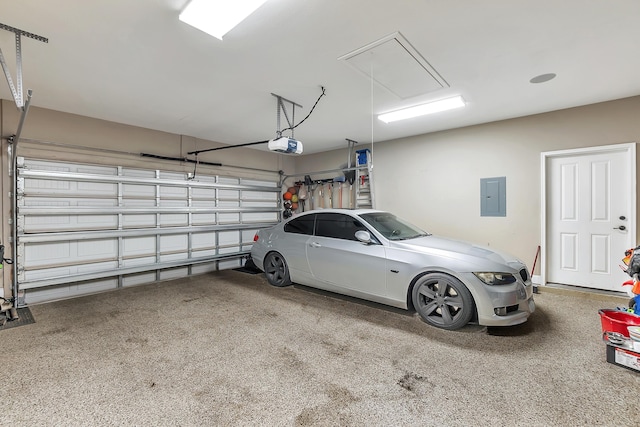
{"type": "Point", "coordinates": [433, 180]}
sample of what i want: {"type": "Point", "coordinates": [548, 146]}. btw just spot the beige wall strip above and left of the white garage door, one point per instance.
{"type": "Point", "coordinates": [114, 141]}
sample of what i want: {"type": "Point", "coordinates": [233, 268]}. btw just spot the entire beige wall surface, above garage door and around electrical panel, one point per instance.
{"type": "Point", "coordinates": [432, 180]}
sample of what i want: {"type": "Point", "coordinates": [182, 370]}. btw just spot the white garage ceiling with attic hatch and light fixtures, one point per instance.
{"type": "Point", "coordinates": [134, 62]}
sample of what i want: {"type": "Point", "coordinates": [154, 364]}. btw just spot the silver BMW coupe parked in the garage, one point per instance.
{"type": "Point", "coordinates": [376, 256]}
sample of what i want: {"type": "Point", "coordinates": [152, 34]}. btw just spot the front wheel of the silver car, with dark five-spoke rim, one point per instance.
{"type": "Point", "coordinates": [442, 301]}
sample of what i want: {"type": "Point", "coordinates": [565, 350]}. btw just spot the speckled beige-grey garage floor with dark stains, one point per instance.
{"type": "Point", "coordinates": [228, 349]}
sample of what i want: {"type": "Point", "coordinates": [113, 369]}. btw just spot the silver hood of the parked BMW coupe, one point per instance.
{"type": "Point", "coordinates": [467, 252]}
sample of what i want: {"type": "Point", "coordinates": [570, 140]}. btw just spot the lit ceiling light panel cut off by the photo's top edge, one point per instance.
{"type": "Point", "coordinates": [218, 17]}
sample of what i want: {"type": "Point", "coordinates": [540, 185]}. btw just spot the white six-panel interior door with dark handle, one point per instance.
{"type": "Point", "coordinates": [590, 215]}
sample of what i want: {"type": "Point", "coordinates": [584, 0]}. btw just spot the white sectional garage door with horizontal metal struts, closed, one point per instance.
{"type": "Point", "coordinates": [87, 228]}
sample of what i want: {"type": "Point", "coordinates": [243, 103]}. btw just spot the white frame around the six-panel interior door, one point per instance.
{"type": "Point", "coordinates": [629, 148]}
